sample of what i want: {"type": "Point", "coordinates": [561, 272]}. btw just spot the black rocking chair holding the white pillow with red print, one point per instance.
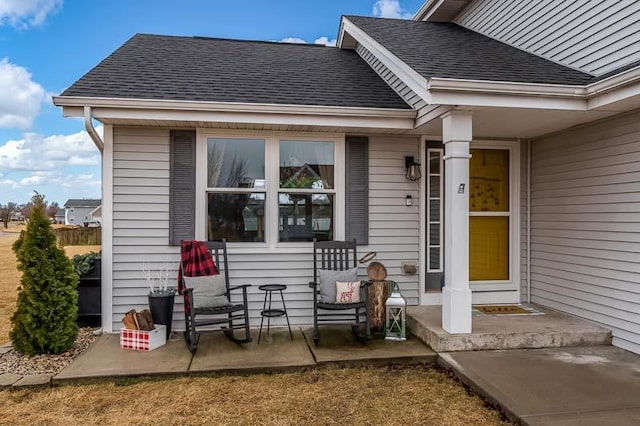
{"type": "Point", "coordinates": [337, 256]}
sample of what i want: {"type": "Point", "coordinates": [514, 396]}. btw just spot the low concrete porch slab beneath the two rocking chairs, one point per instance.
{"type": "Point", "coordinates": [217, 354]}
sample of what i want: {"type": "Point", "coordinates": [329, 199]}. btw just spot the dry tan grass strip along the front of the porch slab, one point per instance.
{"type": "Point", "coordinates": [351, 396]}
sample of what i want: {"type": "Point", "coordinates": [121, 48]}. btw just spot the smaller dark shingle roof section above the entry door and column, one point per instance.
{"type": "Point", "coordinates": [451, 51]}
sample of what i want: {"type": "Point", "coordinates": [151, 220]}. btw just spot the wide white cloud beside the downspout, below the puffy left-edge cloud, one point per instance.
{"type": "Point", "coordinates": [36, 153]}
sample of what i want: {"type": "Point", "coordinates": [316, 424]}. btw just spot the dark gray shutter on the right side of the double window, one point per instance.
{"type": "Point", "coordinates": [357, 189]}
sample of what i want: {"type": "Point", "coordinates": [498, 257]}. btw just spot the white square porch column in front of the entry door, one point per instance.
{"type": "Point", "coordinates": [456, 295]}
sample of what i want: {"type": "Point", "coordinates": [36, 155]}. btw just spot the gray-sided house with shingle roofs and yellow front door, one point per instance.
{"type": "Point", "coordinates": [524, 118]}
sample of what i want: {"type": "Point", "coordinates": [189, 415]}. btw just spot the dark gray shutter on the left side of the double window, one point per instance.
{"type": "Point", "coordinates": [182, 197]}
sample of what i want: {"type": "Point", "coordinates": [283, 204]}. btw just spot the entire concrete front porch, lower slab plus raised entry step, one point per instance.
{"type": "Point", "coordinates": [337, 347]}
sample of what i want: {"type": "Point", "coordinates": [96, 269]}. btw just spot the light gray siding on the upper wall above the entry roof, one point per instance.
{"type": "Point", "coordinates": [595, 36]}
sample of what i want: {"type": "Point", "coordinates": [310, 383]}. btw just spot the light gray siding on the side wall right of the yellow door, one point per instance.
{"type": "Point", "coordinates": [586, 225]}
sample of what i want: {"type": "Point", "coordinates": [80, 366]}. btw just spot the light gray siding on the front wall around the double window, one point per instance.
{"type": "Point", "coordinates": [141, 228]}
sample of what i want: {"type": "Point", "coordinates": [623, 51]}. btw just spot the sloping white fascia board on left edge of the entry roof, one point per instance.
{"type": "Point", "coordinates": [408, 75]}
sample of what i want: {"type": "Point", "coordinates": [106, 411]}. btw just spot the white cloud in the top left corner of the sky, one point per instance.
{"type": "Point", "coordinates": [26, 13]}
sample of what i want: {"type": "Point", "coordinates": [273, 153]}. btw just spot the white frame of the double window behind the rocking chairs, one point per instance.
{"type": "Point", "coordinates": [272, 184]}
